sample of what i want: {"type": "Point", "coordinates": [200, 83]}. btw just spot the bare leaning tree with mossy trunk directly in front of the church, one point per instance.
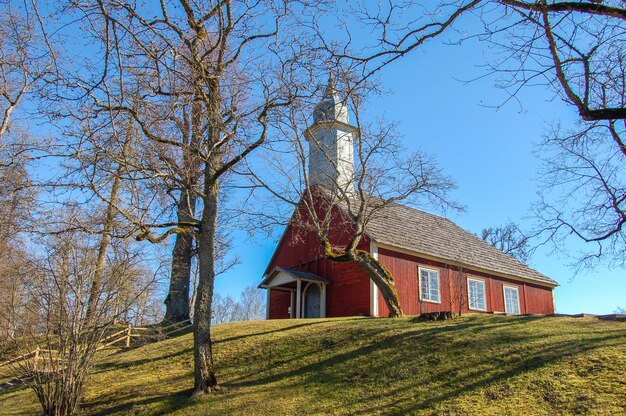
{"type": "Point", "coordinates": [335, 198]}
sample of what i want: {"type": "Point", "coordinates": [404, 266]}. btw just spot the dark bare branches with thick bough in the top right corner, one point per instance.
{"type": "Point", "coordinates": [578, 49]}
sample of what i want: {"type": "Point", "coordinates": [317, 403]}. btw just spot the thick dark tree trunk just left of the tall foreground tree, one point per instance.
{"type": "Point", "coordinates": [177, 300]}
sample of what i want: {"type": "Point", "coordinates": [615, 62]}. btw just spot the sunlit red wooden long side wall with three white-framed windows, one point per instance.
{"type": "Point", "coordinates": [404, 267]}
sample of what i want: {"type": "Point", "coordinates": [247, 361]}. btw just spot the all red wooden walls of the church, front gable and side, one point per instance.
{"type": "Point", "coordinates": [348, 293]}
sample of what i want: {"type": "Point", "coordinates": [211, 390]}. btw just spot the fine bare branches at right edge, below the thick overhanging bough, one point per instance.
{"type": "Point", "coordinates": [584, 194]}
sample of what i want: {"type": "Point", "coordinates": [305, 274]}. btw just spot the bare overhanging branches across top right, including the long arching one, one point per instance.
{"type": "Point", "coordinates": [577, 47]}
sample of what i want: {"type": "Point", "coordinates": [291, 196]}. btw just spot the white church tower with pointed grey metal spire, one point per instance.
{"type": "Point", "coordinates": [331, 144]}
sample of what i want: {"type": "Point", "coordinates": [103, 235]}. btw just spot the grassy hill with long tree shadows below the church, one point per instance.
{"type": "Point", "coordinates": [475, 365]}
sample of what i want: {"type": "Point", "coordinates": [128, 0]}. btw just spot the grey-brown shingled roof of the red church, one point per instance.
{"type": "Point", "coordinates": [423, 233]}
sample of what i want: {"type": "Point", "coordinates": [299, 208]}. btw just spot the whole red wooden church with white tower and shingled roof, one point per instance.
{"type": "Point", "coordinates": [437, 265]}
